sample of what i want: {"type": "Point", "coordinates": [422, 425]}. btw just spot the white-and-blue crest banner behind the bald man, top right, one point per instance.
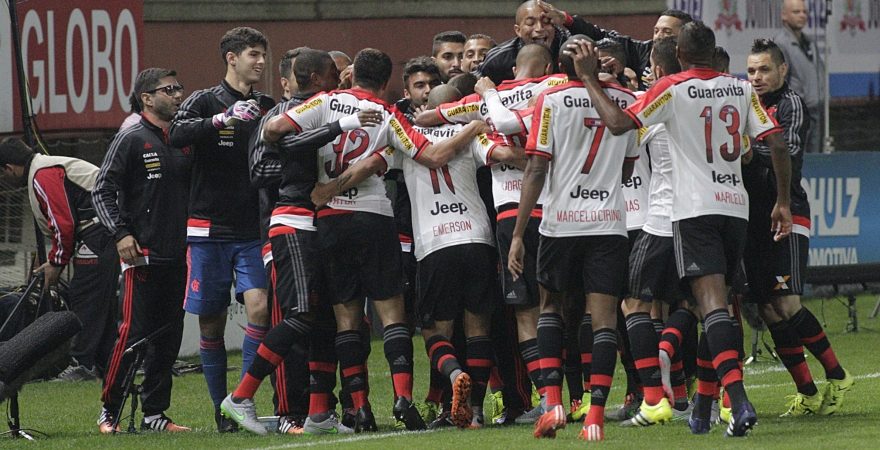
{"type": "Point", "coordinates": [853, 35]}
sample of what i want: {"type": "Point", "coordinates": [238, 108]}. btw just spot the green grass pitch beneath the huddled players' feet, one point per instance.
{"type": "Point", "coordinates": [67, 411]}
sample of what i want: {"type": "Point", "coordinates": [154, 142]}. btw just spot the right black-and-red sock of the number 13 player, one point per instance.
{"type": "Point", "coordinates": [722, 337]}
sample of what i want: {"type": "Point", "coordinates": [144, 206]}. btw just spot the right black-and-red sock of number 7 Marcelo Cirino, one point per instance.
{"type": "Point", "coordinates": [604, 359]}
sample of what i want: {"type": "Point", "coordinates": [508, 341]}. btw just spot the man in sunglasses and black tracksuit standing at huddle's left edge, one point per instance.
{"type": "Point", "coordinates": [141, 196]}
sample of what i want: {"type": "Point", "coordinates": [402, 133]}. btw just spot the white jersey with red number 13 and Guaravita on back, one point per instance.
{"type": "Point", "coordinates": [708, 116]}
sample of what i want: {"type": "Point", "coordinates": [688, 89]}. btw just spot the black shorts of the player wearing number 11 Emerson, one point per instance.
{"type": "Point", "coordinates": [453, 279]}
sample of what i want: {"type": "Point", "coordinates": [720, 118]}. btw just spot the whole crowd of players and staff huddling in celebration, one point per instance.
{"type": "Point", "coordinates": [620, 220]}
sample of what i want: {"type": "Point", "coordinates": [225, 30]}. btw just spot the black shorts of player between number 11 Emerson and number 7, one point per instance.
{"type": "Point", "coordinates": [523, 291]}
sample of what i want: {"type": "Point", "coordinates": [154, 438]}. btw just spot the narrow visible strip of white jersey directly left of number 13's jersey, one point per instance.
{"type": "Point", "coordinates": [659, 220]}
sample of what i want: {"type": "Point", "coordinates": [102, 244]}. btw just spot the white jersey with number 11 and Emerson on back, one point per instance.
{"type": "Point", "coordinates": [446, 206]}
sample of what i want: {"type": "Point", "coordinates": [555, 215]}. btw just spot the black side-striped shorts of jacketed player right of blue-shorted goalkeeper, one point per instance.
{"type": "Point", "coordinates": [295, 273]}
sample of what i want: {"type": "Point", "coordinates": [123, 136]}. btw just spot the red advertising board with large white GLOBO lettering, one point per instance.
{"type": "Point", "coordinates": [81, 58]}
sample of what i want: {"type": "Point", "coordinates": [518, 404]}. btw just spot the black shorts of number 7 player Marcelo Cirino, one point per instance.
{"type": "Point", "coordinates": [595, 263]}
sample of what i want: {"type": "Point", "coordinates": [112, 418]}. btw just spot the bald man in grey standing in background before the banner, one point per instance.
{"type": "Point", "coordinates": [805, 69]}
